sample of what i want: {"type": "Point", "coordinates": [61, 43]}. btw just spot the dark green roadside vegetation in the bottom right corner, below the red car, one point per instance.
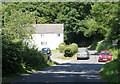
{"type": "Point", "coordinates": [110, 72]}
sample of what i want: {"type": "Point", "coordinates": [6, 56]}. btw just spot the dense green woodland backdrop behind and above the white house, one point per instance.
{"type": "Point", "coordinates": [83, 21]}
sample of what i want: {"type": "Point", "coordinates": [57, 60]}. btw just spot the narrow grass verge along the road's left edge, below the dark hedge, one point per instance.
{"type": "Point", "coordinates": [29, 70]}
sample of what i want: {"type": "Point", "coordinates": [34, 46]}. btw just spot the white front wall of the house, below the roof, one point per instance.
{"type": "Point", "coordinates": [47, 40]}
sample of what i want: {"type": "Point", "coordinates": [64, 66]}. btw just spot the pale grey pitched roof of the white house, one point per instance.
{"type": "Point", "coordinates": [49, 28]}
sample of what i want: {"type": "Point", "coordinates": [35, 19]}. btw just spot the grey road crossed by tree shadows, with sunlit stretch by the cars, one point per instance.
{"type": "Point", "coordinates": [74, 71]}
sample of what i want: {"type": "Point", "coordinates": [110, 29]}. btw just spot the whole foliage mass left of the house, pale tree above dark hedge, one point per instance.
{"type": "Point", "coordinates": [17, 57]}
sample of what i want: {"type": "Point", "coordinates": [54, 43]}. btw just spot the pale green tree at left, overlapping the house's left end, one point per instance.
{"type": "Point", "coordinates": [18, 26]}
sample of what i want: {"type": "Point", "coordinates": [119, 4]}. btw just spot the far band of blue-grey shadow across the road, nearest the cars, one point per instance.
{"type": "Point", "coordinates": [73, 67]}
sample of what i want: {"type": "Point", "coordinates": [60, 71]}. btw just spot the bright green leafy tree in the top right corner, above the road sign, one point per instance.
{"type": "Point", "coordinates": [107, 18]}
